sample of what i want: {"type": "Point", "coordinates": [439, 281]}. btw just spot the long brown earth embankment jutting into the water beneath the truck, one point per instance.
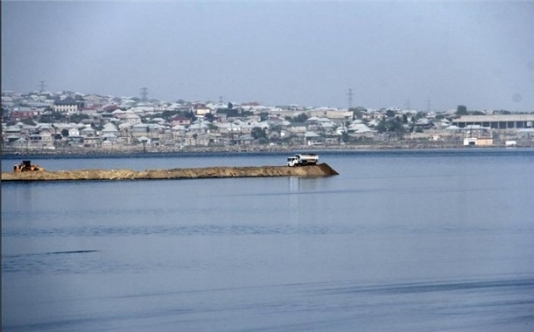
{"type": "Point", "coordinates": [319, 170]}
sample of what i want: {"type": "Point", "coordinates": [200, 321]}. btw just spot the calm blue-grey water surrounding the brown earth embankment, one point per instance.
{"type": "Point", "coordinates": [399, 241]}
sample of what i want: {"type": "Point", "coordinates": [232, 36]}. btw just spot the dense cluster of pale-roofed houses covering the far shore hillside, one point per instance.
{"type": "Point", "coordinates": [44, 121]}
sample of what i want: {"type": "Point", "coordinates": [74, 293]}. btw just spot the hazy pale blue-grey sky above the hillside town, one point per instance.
{"type": "Point", "coordinates": [418, 55]}
